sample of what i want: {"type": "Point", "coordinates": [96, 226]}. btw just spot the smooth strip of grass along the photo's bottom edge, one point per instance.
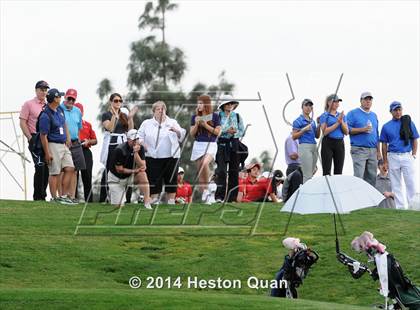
{"type": "Point", "coordinates": [124, 299]}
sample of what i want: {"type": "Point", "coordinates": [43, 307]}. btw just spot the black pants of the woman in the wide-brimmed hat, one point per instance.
{"type": "Point", "coordinates": [227, 166]}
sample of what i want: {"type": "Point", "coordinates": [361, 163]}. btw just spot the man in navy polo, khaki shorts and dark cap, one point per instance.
{"type": "Point", "coordinates": [55, 140]}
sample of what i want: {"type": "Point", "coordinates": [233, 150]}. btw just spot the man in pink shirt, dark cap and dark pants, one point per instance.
{"type": "Point", "coordinates": [28, 118]}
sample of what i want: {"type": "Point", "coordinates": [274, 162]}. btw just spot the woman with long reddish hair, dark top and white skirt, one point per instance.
{"type": "Point", "coordinates": [205, 128]}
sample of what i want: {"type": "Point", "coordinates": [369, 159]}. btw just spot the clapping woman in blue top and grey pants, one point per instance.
{"type": "Point", "coordinates": [305, 129]}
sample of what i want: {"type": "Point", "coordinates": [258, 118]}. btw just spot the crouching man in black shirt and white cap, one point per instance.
{"type": "Point", "coordinates": [128, 159]}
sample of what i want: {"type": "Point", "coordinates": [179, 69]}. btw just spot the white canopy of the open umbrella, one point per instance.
{"type": "Point", "coordinates": [333, 194]}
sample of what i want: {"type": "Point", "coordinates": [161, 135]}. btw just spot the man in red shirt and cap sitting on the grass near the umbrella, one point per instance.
{"type": "Point", "coordinates": [253, 189]}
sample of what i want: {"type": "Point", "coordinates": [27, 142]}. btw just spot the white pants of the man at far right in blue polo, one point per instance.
{"type": "Point", "coordinates": [402, 163]}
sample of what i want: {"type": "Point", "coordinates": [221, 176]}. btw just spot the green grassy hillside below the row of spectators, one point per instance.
{"type": "Point", "coordinates": [44, 265]}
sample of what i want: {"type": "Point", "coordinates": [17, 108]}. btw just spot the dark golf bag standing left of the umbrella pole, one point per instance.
{"type": "Point", "coordinates": [294, 270]}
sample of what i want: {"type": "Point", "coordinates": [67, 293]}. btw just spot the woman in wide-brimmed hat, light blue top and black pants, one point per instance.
{"type": "Point", "coordinates": [227, 150]}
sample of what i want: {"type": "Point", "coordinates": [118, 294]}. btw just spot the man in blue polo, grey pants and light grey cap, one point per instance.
{"type": "Point", "coordinates": [364, 139]}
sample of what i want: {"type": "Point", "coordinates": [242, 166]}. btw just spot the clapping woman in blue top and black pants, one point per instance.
{"type": "Point", "coordinates": [334, 128]}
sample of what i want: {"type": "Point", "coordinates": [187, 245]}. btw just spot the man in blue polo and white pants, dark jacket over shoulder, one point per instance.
{"type": "Point", "coordinates": [399, 148]}
